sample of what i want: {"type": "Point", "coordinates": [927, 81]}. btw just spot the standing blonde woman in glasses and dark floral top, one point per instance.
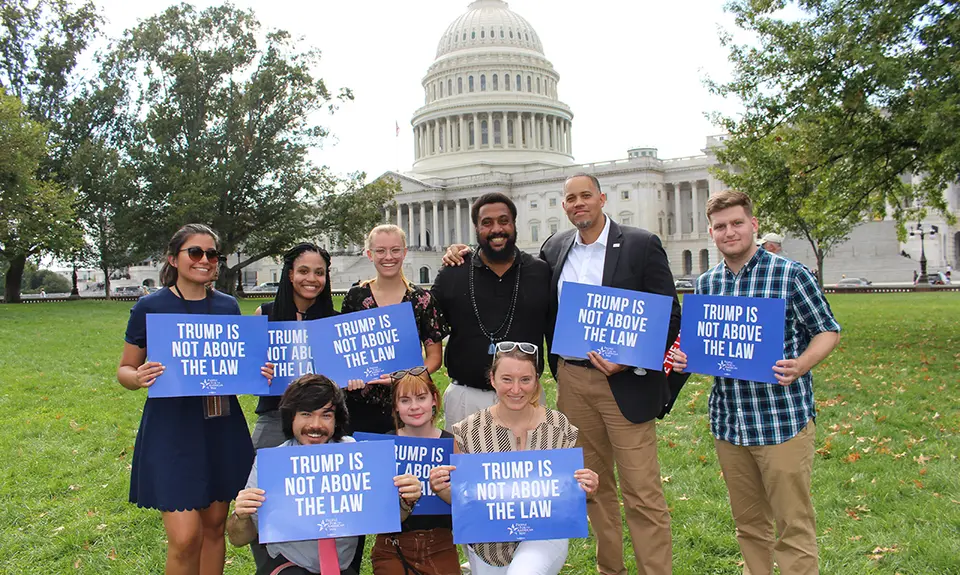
{"type": "Point", "coordinates": [370, 403]}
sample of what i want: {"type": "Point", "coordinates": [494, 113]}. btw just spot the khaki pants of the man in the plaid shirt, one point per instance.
{"type": "Point", "coordinates": [770, 483]}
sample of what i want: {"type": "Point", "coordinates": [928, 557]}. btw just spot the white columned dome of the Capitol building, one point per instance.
{"type": "Point", "coordinates": [490, 99]}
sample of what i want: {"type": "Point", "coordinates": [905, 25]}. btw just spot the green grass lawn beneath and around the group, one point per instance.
{"type": "Point", "coordinates": [885, 477]}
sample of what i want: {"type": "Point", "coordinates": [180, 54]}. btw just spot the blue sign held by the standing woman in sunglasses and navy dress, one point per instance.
{"type": "Point", "coordinates": [207, 354]}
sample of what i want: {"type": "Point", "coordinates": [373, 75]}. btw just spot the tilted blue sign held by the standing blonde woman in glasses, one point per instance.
{"type": "Point", "coordinates": [365, 344]}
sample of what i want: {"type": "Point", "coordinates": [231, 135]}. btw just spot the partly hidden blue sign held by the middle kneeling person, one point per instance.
{"type": "Point", "coordinates": [417, 456]}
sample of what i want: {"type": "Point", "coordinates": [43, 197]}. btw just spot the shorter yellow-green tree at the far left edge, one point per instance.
{"type": "Point", "coordinates": [37, 215]}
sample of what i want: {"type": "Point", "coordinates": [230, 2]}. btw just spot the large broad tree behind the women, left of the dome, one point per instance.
{"type": "Point", "coordinates": [221, 126]}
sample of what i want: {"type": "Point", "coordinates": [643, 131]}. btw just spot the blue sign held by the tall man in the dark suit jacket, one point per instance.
{"type": "Point", "coordinates": [623, 326]}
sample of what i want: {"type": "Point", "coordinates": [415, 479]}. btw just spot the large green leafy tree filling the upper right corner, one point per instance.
{"type": "Point", "coordinates": [839, 104]}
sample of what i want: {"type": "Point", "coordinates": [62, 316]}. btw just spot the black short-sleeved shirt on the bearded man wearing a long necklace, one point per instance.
{"type": "Point", "coordinates": [468, 350]}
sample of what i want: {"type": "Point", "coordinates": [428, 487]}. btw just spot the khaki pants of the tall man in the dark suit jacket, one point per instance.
{"type": "Point", "coordinates": [606, 436]}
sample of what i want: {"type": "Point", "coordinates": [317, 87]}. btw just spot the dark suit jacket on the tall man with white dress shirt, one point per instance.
{"type": "Point", "coordinates": [635, 260]}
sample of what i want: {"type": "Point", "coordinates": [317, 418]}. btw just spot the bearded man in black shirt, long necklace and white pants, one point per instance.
{"type": "Point", "coordinates": [501, 294]}
